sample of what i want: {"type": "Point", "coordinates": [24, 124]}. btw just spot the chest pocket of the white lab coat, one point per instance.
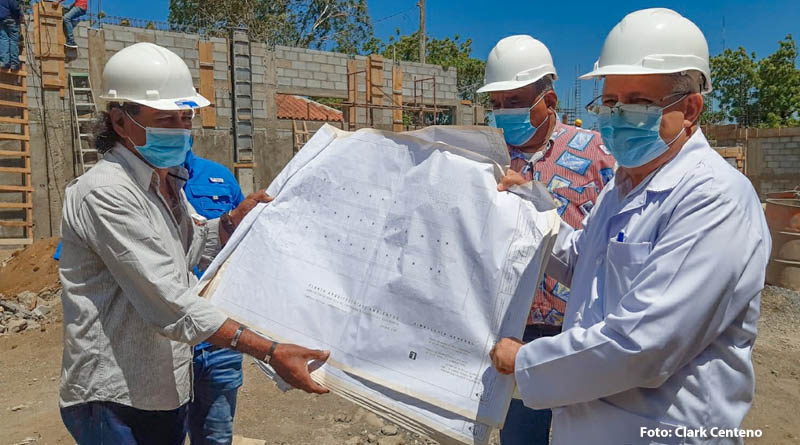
{"type": "Point", "coordinates": [623, 262]}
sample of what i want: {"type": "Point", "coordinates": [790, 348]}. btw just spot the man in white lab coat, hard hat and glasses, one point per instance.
{"type": "Point", "coordinates": [666, 273]}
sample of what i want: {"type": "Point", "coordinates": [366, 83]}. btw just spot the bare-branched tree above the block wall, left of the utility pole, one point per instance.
{"type": "Point", "coordinates": [338, 25]}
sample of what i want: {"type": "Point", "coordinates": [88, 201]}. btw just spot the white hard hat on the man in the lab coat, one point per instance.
{"type": "Point", "coordinates": [654, 41]}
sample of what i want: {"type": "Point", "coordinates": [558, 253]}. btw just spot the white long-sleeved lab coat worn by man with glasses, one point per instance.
{"type": "Point", "coordinates": [659, 327]}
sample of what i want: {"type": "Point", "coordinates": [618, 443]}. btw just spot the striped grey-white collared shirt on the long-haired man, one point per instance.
{"type": "Point", "coordinates": [129, 310]}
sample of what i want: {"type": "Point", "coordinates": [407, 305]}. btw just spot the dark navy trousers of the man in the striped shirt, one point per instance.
{"type": "Point", "coordinates": [106, 423]}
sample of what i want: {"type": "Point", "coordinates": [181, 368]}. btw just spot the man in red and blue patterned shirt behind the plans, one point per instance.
{"type": "Point", "coordinates": [571, 162]}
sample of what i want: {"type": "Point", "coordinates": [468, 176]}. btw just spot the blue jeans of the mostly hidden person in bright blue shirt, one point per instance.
{"type": "Point", "coordinates": [217, 378]}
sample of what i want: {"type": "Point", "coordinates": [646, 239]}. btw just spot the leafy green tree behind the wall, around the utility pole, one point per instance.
{"type": "Point", "coordinates": [446, 52]}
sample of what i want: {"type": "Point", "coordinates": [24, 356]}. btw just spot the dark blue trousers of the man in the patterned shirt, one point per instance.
{"type": "Point", "coordinates": [527, 426]}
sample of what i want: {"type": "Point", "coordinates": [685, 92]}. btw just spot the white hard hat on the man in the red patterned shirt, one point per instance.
{"type": "Point", "coordinates": [517, 61]}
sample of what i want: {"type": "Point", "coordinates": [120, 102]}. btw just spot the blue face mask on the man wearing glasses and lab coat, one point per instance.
{"type": "Point", "coordinates": [631, 132]}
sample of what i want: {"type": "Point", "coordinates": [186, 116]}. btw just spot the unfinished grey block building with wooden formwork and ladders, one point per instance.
{"type": "Point", "coordinates": [47, 107]}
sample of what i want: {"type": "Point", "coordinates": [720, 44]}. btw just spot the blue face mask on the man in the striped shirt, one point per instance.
{"type": "Point", "coordinates": [164, 147]}
